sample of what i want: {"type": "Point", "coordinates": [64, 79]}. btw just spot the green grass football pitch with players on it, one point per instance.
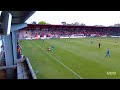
{"type": "Point", "coordinates": [73, 58]}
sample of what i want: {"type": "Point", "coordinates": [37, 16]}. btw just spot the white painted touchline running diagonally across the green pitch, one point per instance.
{"type": "Point", "coordinates": [59, 61]}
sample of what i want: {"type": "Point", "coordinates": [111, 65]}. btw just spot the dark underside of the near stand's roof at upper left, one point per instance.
{"type": "Point", "coordinates": [19, 16]}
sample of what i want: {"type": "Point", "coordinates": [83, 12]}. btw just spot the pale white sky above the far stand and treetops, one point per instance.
{"type": "Point", "coordinates": [105, 18]}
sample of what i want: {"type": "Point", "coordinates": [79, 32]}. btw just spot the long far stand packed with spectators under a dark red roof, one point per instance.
{"type": "Point", "coordinates": [35, 31]}
